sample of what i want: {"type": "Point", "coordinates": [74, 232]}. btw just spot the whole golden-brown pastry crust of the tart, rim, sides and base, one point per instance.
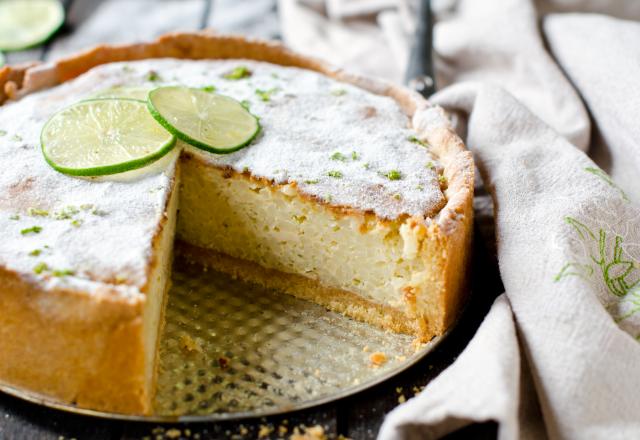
{"type": "Point", "coordinates": [88, 349]}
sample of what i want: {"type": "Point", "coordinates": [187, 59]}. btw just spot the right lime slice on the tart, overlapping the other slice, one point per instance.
{"type": "Point", "coordinates": [206, 120]}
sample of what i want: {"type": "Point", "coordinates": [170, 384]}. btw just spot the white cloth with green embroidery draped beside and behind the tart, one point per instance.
{"type": "Point", "coordinates": [557, 355]}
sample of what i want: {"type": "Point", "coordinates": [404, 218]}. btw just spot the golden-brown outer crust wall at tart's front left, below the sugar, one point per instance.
{"type": "Point", "coordinates": [45, 337]}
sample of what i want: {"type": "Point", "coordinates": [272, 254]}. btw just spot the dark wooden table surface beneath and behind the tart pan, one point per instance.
{"type": "Point", "coordinates": [360, 416]}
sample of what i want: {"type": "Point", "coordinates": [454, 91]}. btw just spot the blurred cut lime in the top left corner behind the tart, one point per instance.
{"type": "Point", "coordinates": [27, 23]}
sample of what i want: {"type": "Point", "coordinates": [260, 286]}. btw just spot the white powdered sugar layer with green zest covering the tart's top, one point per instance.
{"type": "Point", "coordinates": [339, 143]}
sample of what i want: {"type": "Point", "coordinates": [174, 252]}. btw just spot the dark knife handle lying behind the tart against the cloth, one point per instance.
{"type": "Point", "coordinates": [420, 71]}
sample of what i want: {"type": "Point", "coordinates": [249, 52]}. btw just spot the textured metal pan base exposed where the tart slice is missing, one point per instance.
{"type": "Point", "coordinates": [231, 350]}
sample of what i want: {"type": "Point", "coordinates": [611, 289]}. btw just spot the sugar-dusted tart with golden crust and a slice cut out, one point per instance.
{"type": "Point", "coordinates": [357, 195]}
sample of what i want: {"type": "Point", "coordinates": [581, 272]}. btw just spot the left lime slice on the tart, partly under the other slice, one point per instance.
{"type": "Point", "coordinates": [103, 136]}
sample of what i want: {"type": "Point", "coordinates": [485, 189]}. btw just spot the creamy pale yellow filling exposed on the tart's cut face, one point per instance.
{"type": "Point", "coordinates": [278, 229]}
